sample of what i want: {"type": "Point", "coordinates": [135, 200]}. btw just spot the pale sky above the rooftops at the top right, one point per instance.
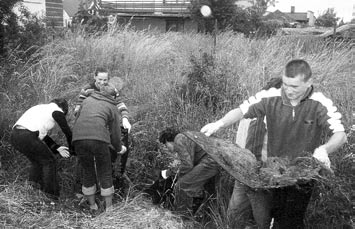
{"type": "Point", "coordinates": [343, 8]}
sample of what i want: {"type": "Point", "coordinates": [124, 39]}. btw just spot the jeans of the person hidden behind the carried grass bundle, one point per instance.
{"type": "Point", "coordinates": [240, 202]}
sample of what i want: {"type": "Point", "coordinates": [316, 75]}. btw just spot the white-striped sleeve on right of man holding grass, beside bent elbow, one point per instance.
{"type": "Point", "coordinates": [329, 115]}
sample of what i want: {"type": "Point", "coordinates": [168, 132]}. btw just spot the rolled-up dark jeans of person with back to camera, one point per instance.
{"type": "Point", "coordinates": [95, 159]}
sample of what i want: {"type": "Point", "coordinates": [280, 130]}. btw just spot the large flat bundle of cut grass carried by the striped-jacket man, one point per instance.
{"type": "Point", "coordinates": [243, 166]}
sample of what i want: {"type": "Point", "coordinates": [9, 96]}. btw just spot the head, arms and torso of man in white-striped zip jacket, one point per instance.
{"type": "Point", "coordinates": [296, 117]}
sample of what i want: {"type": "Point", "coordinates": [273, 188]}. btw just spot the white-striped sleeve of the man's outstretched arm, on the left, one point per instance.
{"type": "Point", "coordinates": [253, 100]}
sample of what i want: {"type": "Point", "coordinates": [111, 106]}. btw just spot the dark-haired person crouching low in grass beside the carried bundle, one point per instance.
{"type": "Point", "coordinates": [195, 170]}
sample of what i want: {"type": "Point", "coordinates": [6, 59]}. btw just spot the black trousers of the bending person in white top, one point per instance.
{"type": "Point", "coordinates": [44, 169]}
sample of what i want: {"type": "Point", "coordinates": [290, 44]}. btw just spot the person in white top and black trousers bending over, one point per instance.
{"type": "Point", "coordinates": [30, 137]}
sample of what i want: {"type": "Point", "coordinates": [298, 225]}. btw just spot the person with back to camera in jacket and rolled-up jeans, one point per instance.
{"type": "Point", "coordinates": [95, 130]}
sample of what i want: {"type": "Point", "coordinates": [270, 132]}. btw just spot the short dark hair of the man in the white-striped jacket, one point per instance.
{"type": "Point", "coordinates": [298, 67]}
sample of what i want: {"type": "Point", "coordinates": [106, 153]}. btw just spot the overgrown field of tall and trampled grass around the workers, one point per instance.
{"type": "Point", "coordinates": [158, 70]}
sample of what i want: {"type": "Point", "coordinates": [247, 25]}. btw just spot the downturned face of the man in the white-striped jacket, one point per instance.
{"type": "Point", "coordinates": [295, 88]}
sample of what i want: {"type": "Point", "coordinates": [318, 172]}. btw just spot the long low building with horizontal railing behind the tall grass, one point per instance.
{"type": "Point", "coordinates": [162, 15]}
